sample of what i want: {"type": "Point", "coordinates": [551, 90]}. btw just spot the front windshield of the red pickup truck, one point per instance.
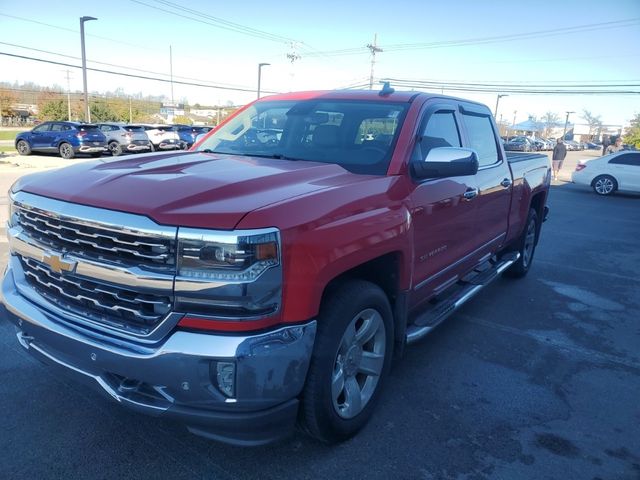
{"type": "Point", "coordinates": [358, 135]}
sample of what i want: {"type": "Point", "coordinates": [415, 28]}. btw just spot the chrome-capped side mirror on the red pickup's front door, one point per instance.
{"type": "Point", "coordinates": [446, 162]}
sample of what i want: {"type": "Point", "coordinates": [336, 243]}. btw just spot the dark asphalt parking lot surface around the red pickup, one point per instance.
{"type": "Point", "coordinates": [533, 379]}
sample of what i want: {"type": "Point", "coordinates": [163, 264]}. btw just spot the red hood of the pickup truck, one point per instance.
{"type": "Point", "coordinates": [193, 189]}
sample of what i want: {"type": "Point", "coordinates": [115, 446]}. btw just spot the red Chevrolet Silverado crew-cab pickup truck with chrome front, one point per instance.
{"type": "Point", "coordinates": [269, 275]}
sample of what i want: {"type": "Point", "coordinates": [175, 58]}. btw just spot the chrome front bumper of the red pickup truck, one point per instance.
{"type": "Point", "coordinates": [176, 378]}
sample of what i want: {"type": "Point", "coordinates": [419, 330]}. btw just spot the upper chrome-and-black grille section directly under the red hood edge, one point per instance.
{"type": "Point", "coordinates": [96, 241]}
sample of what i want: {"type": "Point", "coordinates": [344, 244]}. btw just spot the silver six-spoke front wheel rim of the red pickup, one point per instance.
{"type": "Point", "coordinates": [358, 364]}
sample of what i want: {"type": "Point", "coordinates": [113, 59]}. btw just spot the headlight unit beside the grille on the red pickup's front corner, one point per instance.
{"type": "Point", "coordinates": [229, 275]}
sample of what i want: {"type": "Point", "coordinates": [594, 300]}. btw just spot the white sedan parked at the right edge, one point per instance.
{"type": "Point", "coordinates": [616, 172]}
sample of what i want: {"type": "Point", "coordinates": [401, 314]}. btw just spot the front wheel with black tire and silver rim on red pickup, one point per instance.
{"type": "Point", "coordinates": [362, 305]}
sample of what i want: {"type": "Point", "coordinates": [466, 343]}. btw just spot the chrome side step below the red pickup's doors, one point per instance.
{"type": "Point", "coordinates": [429, 320]}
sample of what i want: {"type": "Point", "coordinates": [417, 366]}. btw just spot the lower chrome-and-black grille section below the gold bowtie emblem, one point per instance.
{"type": "Point", "coordinates": [118, 307]}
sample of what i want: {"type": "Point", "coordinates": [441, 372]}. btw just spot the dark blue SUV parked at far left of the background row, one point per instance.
{"type": "Point", "coordinates": [65, 138]}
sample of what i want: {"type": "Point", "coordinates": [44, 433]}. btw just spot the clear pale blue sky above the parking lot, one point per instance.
{"type": "Point", "coordinates": [549, 43]}
